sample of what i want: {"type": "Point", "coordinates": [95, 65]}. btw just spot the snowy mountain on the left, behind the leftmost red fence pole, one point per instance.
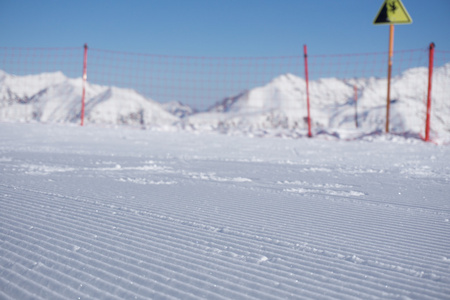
{"type": "Point", "coordinates": [52, 97]}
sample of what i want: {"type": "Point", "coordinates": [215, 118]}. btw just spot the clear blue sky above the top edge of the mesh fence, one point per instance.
{"type": "Point", "coordinates": [220, 27]}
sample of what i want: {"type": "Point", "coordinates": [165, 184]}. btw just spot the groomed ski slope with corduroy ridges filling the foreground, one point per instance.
{"type": "Point", "coordinates": [120, 214]}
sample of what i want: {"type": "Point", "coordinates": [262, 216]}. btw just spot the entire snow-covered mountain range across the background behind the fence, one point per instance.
{"type": "Point", "coordinates": [278, 106]}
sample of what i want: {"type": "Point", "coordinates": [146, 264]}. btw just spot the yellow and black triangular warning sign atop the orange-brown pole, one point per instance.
{"type": "Point", "coordinates": [392, 12]}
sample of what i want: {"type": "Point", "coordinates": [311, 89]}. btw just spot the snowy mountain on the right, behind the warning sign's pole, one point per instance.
{"type": "Point", "coordinates": [281, 104]}
